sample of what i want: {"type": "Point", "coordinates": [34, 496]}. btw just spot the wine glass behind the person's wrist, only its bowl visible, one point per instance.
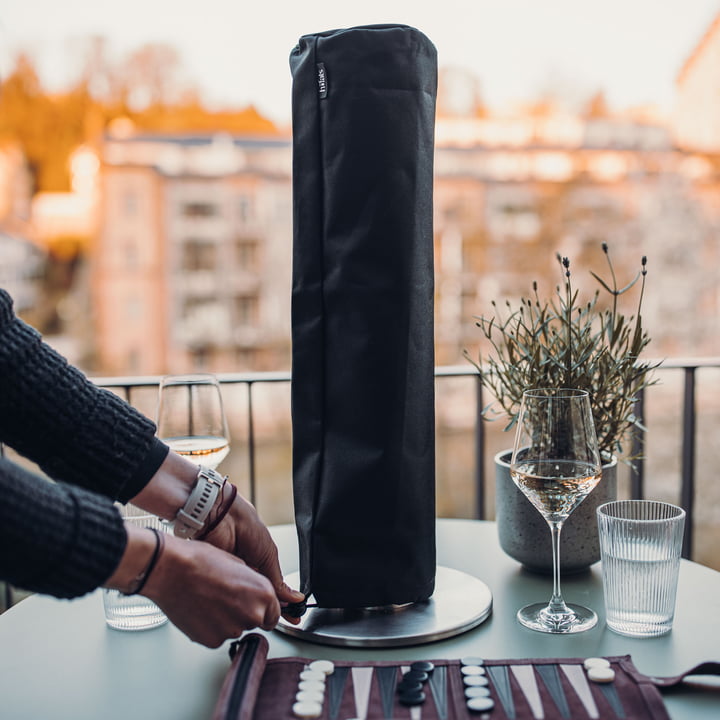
{"type": "Point", "coordinates": [191, 419]}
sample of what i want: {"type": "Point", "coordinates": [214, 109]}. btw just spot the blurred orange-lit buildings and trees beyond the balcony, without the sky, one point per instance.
{"type": "Point", "coordinates": [145, 232]}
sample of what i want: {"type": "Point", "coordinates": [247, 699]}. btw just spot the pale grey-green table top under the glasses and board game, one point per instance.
{"type": "Point", "coordinates": [58, 659]}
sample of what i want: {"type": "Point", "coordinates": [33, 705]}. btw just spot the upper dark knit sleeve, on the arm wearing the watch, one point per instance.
{"type": "Point", "coordinates": [76, 432]}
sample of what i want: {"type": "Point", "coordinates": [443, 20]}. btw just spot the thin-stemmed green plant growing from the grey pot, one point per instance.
{"type": "Point", "coordinates": [564, 342]}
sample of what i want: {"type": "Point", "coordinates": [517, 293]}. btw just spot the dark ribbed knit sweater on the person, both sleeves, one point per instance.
{"type": "Point", "coordinates": [64, 537]}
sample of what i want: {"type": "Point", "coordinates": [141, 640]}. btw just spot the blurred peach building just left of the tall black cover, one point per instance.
{"type": "Point", "coordinates": [191, 264]}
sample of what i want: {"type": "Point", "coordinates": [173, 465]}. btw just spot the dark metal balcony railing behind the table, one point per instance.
{"type": "Point", "coordinates": [127, 387]}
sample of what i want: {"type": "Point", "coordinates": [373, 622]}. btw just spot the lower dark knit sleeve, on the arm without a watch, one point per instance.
{"type": "Point", "coordinates": [54, 538]}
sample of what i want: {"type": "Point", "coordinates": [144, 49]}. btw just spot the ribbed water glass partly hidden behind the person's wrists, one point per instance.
{"type": "Point", "coordinates": [134, 612]}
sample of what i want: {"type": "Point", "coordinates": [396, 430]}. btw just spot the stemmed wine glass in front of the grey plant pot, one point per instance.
{"type": "Point", "coordinates": [556, 463]}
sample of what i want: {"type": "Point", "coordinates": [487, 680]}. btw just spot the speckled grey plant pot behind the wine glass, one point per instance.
{"type": "Point", "coordinates": [525, 535]}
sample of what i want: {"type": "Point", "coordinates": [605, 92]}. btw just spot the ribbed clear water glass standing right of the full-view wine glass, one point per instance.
{"type": "Point", "coordinates": [640, 546]}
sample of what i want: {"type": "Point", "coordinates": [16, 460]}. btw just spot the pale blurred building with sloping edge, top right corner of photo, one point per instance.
{"type": "Point", "coordinates": [697, 111]}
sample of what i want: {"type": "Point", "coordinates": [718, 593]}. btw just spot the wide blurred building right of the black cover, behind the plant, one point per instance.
{"type": "Point", "coordinates": [512, 191]}
